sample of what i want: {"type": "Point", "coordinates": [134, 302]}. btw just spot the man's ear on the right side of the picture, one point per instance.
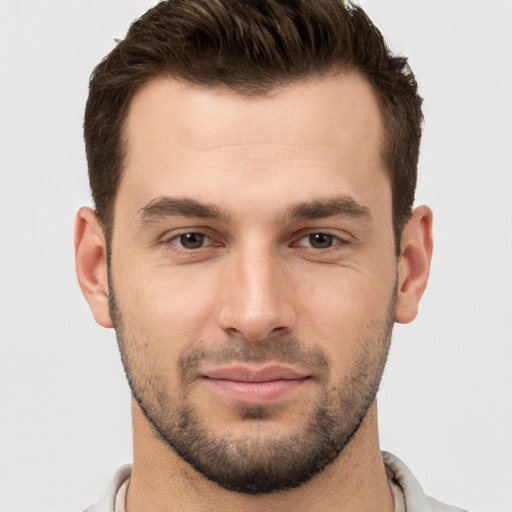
{"type": "Point", "coordinates": [414, 264]}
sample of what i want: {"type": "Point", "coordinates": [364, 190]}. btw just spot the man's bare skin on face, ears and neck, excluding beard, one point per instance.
{"type": "Point", "coordinates": [257, 276]}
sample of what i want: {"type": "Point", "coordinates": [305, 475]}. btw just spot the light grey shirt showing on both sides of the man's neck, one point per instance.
{"type": "Point", "coordinates": [415, 499]}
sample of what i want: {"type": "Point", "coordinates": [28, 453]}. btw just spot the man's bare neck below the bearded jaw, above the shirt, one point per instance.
{"type": "Point", "coordinates": [162, 481]}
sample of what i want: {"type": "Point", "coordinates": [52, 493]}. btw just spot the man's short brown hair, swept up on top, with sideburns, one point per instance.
{"type": "Point", "coordinates": [251, 47]}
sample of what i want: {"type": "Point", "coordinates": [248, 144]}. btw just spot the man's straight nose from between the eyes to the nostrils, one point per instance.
{"type": "Point", "coordinates": [256, 297]}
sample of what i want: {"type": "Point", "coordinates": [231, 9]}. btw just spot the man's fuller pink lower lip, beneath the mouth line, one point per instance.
{"type": "Point", "coordinates": [256, 392]}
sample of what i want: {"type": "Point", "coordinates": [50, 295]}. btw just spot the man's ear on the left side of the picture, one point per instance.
{"type": "Point", "coordinates": [91, 264]}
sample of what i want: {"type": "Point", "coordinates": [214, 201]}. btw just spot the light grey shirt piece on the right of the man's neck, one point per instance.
{"type": "Point", "coordinates": [415, 499]}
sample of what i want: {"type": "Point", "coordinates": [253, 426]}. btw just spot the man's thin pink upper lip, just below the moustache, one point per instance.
{"type": "Point", "coordinates": [247, 373]}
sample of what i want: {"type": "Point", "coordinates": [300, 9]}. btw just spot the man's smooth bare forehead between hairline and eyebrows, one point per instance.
{"type": "Point", "coordinates": [189, 140]}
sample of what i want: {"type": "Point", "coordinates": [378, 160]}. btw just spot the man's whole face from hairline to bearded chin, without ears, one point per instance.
{"type": "Point", "coordinates": [253, 273]}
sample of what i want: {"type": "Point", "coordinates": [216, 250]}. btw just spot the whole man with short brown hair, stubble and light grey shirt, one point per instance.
{"type": "Point", "coordinates": [253, 167]}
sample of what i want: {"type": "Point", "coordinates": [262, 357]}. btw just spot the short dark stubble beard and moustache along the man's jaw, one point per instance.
{"type": "Point", "coordinates": [261, 463]}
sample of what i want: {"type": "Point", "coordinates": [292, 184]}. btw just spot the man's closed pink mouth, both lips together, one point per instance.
{"type": "Point", "coordinates": [255, 385]}
